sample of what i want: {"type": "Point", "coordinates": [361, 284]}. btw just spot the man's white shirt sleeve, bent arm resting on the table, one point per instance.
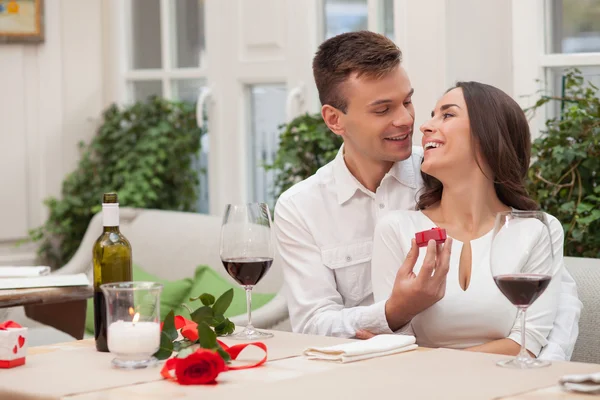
{"type": "Point", "coordinates": [315, 306]}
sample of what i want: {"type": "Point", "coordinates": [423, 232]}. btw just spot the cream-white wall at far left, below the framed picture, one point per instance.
{"type": "Point", "coordinates": [51, 97]}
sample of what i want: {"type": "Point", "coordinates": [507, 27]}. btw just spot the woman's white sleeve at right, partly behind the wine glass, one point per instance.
{"type": "Point", "coordinates": [541, 314]}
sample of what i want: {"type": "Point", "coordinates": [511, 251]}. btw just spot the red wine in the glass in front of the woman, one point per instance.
{"type": "Point", "coordinates": [522, 290]}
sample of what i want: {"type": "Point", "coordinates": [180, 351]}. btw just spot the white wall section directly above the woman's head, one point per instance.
{"type": "Point", "coordinates": [443, 41]}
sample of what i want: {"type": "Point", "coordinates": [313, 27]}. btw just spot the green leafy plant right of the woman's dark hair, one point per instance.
{"type": "Point", "coordinates": [564, 178]}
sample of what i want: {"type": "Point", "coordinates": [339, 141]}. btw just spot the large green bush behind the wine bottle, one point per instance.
{"type": "Point", "coordinates": [145, 152]}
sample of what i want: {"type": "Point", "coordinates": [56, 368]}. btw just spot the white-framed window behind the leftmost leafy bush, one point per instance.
{"type": "Point", "coordinates": [166, 57]}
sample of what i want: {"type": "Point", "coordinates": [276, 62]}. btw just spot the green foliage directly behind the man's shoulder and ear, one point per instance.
{"type": "Point", "coordinates": [305, 145]}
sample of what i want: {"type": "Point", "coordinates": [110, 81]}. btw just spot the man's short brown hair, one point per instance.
{"type": "Point", "coordinates": [364, 53]}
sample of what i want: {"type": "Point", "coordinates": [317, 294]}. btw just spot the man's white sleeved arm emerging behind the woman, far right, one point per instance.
{"type": "Point", "coordinates": [565, 329]}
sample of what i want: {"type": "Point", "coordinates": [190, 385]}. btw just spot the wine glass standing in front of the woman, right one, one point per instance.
{"type": "Point", "coordinates": [522, 265]}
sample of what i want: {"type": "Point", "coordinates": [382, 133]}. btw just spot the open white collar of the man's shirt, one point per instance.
{"type": "Point", "coordinates": [347, 184]}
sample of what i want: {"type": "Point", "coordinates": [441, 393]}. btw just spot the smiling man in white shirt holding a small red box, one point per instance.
{"type": "Point", "coordinates": [324, 225]}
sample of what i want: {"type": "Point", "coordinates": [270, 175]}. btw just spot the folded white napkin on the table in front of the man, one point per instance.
{"type": "Point", "coordinates": [377, 346]}
